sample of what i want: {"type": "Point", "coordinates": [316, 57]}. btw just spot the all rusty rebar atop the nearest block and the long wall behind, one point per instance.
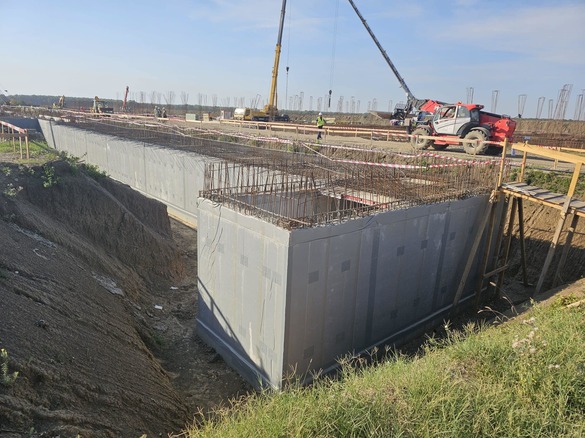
{"type": "Point", "coordinates": [298, 185]}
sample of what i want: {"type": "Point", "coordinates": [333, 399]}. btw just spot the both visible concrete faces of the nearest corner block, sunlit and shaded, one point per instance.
{"type": "Point", "coordinates": [274, 301]}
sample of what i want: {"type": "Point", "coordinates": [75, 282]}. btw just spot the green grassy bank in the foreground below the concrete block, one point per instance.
{"type": "Point", "coordinates": [525, 378]}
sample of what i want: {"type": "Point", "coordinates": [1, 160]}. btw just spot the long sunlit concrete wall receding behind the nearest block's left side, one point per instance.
{"type": "Point", "coordinates": [173, 177]}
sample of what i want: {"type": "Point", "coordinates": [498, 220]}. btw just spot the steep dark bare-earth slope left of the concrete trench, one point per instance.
{"type": "Point", "coordinates": [76, 259]}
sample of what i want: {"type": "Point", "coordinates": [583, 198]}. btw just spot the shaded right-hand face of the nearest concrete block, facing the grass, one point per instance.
{"type": "Point", "coordinates": [358, 284]}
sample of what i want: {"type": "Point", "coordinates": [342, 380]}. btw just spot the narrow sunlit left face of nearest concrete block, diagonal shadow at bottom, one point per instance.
{"type": "Point", "coordinates": [242, 279]}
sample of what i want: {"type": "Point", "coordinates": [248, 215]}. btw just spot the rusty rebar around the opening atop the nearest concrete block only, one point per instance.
{"type": "Point", "coordinates": [294, 196]}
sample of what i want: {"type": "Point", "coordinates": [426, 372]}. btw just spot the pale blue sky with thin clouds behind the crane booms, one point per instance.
{"type": "Point", "coordinates": [223, 50]}
